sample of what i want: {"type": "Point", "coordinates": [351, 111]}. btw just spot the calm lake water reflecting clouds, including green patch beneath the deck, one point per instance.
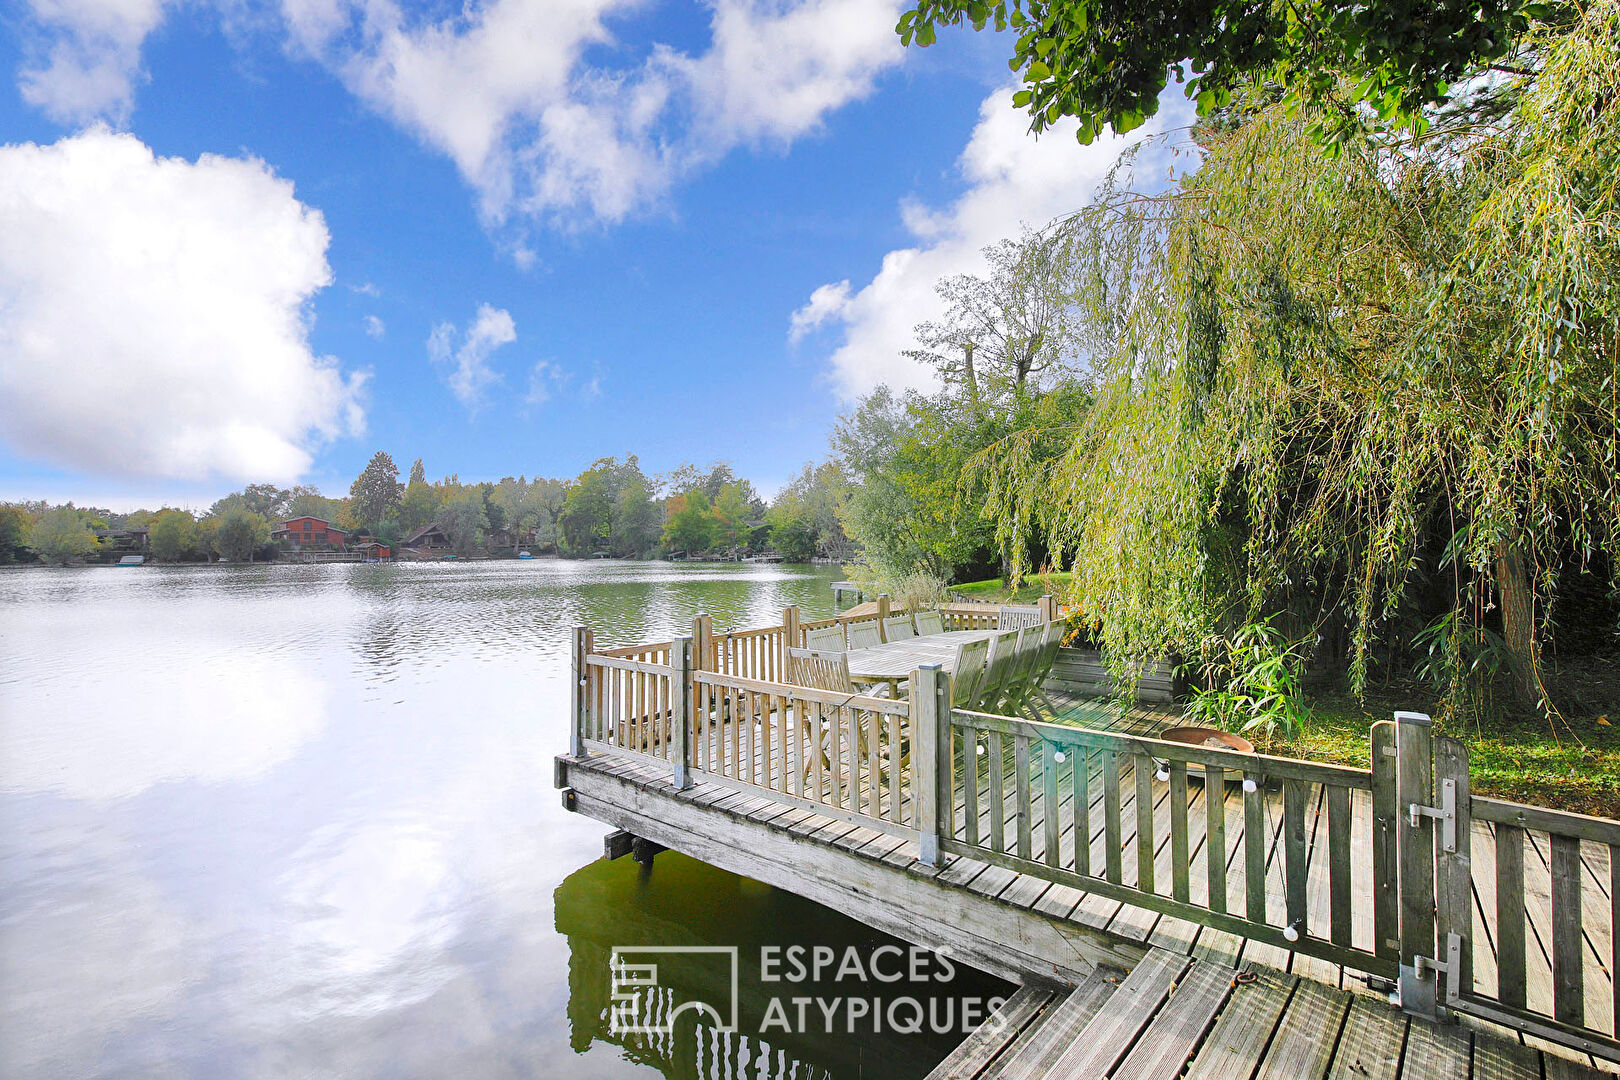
{"type": "Point", "coordinates": [284, 822]}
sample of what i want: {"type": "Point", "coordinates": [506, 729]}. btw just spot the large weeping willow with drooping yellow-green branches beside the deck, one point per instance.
{"type": "Point", "coordinates": [1339, 388]}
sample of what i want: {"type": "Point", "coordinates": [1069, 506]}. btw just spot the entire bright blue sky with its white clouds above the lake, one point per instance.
{"type": "Point", "coordinates": [518, 237]}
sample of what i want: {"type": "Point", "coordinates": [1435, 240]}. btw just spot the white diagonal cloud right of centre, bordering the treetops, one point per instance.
{"type": "Point", "coordinates": [1013, 179]}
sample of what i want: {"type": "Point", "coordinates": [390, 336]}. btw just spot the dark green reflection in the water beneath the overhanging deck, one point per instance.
{"type": "Point", "coordinates": [683, 903]}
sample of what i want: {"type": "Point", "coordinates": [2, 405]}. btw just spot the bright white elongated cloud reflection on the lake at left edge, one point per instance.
{"type": "Point", "coordinates": [117, 733]}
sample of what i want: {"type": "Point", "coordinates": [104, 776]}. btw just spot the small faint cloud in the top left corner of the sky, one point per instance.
{"type": "Point", "coordinates": [85, 56]}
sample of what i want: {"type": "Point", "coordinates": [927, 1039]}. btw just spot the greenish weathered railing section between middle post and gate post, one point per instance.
{"type": "Point", "coordinates": [1115, 815]}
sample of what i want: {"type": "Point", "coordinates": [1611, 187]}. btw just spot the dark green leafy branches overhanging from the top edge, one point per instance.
{"type": "Point", "coordinates": [1106, 62]}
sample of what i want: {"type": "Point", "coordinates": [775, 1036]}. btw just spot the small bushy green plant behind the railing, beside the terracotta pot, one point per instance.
{"type": "Point", "coordinates": [1253, 684]}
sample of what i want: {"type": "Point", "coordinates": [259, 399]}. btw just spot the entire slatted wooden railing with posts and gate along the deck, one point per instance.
{"type": "Point", "coordinates": [1473, 906]}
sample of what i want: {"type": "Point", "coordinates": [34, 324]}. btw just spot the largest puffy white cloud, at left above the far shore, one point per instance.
{"type": "Point", "coordinates": [153, 315]}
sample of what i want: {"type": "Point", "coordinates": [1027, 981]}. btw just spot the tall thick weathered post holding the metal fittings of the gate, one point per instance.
{"type": "Point", "coordinates": [1415, 789]}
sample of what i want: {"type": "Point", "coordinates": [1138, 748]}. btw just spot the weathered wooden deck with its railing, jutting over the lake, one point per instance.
{"type": "Point", "coordinates": [1161, 906]}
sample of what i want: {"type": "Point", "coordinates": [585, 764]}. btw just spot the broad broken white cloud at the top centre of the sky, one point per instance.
{"type": "Point", "coordinates": [505, 90]}
